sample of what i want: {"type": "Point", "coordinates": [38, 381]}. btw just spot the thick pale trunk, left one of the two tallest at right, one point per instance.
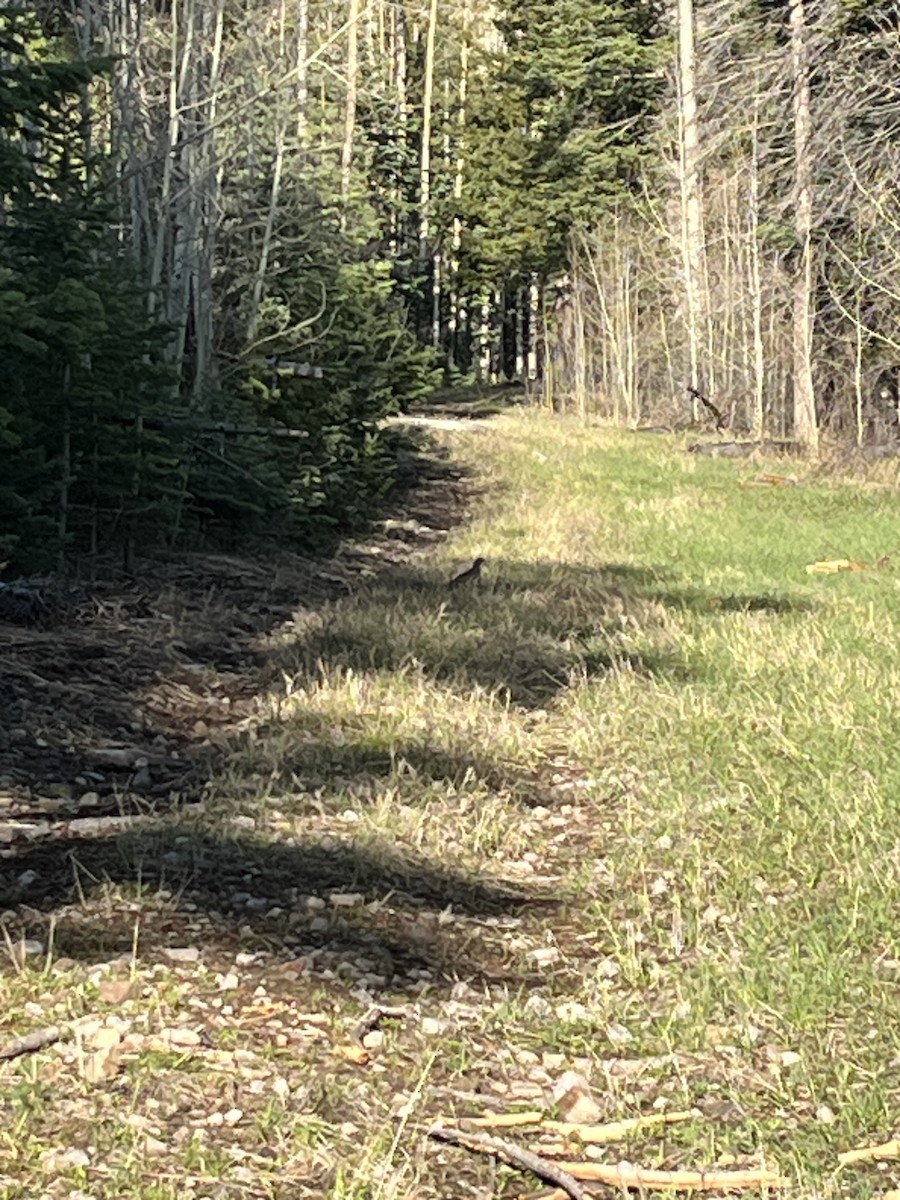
{"type": "Point", "coordinates": [693, 257]}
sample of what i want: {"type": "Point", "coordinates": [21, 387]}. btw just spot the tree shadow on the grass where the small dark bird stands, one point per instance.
{"type": "Point", "coordinates": [525, 633]}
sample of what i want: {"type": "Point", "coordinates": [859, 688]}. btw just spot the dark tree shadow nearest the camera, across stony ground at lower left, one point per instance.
{"type": "Point", "coordinates": [245, 895]}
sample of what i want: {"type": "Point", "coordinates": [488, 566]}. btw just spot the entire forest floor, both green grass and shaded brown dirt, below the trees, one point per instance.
{"type": "Point", "coordinates": [375, 855]}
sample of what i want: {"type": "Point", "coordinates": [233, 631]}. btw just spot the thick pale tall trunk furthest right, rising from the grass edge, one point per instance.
{"type": "Point", "coordinates": [805, 399]}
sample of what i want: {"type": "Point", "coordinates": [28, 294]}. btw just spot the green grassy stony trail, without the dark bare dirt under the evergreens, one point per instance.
{"type": "Point", "coordinates": [631, 807]}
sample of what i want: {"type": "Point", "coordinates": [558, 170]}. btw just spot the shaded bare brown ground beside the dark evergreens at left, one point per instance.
{"type": "Point", "coordinates": [127, 692]}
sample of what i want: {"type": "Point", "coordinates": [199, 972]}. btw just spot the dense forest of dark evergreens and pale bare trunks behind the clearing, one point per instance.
{"type": "Point", "coordinates": [235, 237]}
